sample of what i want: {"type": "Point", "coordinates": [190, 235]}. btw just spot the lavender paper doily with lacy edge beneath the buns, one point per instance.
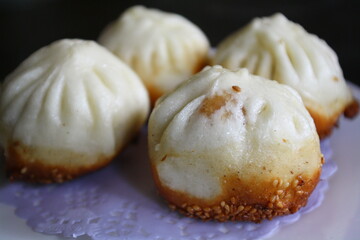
{"type": "Point", "coordinates": [120, 202]}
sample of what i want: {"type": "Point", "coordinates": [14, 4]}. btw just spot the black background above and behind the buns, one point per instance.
{"type": "Point", "coordinates": [27, 25]}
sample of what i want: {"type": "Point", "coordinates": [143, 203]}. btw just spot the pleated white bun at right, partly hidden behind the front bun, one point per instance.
{"type": "Point", "coordinates": [276, 48]}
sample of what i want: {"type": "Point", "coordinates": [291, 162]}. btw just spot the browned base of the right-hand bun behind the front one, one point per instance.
{"type": "Point", "coordinates": [324, 125]}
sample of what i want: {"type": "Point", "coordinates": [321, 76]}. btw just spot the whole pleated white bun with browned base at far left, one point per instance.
{"type": "Point", "coordinates": [67, 110]}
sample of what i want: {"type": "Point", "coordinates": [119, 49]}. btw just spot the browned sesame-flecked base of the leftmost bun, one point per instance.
{"type": "Point", "coordinates": [25, 163]}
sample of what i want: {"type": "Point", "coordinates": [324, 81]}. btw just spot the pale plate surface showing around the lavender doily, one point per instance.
{"type": "Point", "coordinates": [337, 218]}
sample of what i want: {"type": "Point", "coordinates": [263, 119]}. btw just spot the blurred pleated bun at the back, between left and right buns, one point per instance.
{"type": "Point", "coordinates": [163, 48]}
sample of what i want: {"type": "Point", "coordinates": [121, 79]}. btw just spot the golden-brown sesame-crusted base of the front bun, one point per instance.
{"type": "Point", "coordinates": [244, 200]}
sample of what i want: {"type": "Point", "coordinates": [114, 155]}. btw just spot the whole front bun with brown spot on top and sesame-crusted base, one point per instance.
{"type": "Point", "coordinates": [233, 146]}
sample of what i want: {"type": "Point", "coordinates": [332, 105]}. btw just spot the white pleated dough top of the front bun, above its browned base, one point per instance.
{"type": "Point", "coordinates": [221, 123]}
